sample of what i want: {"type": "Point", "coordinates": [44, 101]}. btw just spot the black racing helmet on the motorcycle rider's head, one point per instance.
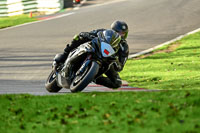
{"type": "Point", "coordinates": [120, 27]}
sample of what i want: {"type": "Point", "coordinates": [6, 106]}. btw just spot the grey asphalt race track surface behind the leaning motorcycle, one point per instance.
{"type": "Point", "coordinates": [26, 52]}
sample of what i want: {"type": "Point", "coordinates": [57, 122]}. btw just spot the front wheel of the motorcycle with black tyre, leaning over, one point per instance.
{"type": "Point", "coordinates": [82, 80]}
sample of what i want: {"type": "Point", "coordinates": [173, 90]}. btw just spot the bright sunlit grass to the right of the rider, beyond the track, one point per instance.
{"type": "Point", "coordinates": [179, 69]}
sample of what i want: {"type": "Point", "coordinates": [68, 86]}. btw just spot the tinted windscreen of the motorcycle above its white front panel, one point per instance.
{"type": "Point", "coordinates": [111, 37]}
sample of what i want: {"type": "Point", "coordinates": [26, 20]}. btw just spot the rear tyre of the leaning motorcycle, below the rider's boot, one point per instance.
{"type": "Point", "coordinates": [51, 84]}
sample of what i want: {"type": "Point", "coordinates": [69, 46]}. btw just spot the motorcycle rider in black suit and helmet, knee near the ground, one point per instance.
{"type": "Point", "coordinates": [113, 79]}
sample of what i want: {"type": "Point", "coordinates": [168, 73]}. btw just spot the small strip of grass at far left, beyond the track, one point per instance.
{"type": "Point", "coordinates": [15, 20]}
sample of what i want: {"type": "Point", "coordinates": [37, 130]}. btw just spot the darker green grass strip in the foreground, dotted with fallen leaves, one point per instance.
{"type": "Point", "coordinates": [139, 112]}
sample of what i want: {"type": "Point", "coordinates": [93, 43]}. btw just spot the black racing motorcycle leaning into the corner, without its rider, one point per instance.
{"type": "Point", "coordinates": [85, 63]}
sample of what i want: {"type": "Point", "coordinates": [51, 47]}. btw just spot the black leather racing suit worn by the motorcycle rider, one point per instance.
{"type": "Point", "coordinates": [113, 79]}
